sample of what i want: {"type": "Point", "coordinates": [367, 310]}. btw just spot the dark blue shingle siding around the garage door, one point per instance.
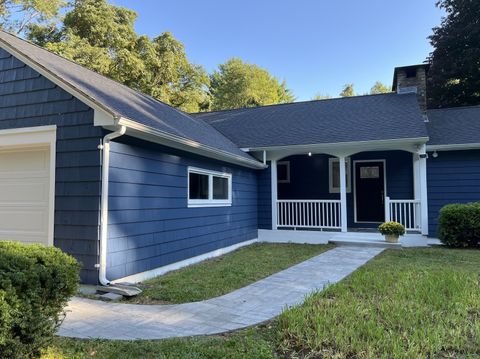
{"type": "Point", "coordinates": [28, 99]}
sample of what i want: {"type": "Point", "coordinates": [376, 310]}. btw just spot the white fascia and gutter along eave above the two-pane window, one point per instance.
{"type": "Point", "coordinates": [138, 130]}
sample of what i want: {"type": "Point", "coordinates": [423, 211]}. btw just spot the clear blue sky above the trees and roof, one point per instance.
{"type": "Point", "coordinates": [317, 46]}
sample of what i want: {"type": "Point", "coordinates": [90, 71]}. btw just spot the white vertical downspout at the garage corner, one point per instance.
{"type": "Point", "coordinates": [105, 147]}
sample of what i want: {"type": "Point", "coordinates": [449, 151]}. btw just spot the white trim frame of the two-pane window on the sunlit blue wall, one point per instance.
{"type": "Point", "coordinates": [210, 202]}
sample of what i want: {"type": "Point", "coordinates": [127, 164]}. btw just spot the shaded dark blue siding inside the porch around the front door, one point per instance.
{"type": "Point", "coordinates": [309, 180]}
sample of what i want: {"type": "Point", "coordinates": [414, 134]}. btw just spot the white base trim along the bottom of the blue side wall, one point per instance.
{"type": "Point", "coordinates": [140, 277]}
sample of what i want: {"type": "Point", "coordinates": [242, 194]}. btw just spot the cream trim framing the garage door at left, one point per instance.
{"type": "Point", "coordinates": [19, 138]}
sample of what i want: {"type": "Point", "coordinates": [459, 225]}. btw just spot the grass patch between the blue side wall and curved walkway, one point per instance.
{"type": "Point", "coordinates": [221, 275]}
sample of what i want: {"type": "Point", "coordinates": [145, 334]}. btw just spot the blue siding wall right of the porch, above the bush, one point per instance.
{"type": "Point", "coordinates": [452, 177]}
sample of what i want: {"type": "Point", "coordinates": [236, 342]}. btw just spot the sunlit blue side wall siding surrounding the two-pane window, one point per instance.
{"type": "Point", "coordinates": [150, 224]}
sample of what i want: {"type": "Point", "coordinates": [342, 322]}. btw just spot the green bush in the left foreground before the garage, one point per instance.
{"type": "Point", "coordinates": [35, 284]}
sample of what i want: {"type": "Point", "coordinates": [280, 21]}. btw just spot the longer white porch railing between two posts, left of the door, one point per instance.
{"type": "Point", "coordinates": [323, 214]}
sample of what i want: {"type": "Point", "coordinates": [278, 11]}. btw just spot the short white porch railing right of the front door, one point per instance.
{"type": "Point", "coordinates": [404, 211]}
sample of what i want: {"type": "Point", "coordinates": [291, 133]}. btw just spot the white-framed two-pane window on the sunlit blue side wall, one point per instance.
{"type": "Point", "coordinates": [209, 188]}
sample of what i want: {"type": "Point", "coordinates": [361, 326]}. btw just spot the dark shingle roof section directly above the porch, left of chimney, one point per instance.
{"type": "Point", "coordinates": [360, 118]}
